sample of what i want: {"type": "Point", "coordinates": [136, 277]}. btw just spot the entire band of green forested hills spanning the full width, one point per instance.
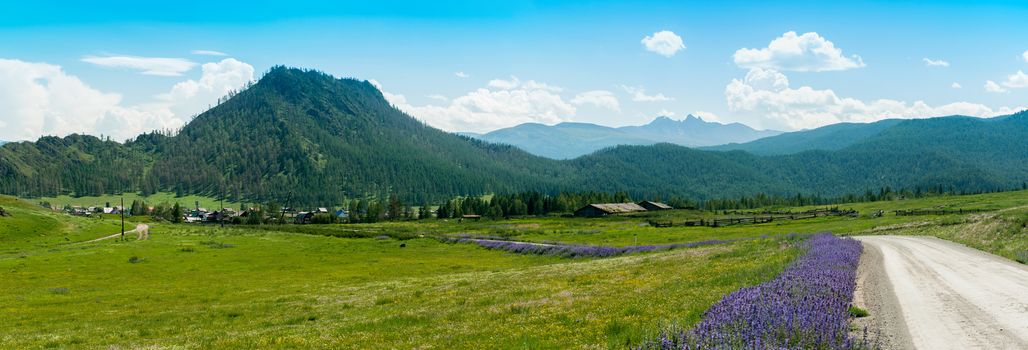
{"type": "Point", "coordinates": [305, 137]}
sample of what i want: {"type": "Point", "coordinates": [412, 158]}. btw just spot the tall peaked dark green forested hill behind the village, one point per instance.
{"type": "Point", "coordinates": [320, 138]}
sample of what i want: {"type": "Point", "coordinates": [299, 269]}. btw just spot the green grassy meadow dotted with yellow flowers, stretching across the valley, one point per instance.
{"type": "Point", "coordinates": [346, 287]}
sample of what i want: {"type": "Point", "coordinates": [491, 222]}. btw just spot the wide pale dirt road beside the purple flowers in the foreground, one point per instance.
{"type": "Point", "coordinates": [929, 294]}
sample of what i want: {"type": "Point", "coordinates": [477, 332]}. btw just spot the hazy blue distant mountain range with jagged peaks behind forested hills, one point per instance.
{"type": "Point", "coordinates": [568, 141]}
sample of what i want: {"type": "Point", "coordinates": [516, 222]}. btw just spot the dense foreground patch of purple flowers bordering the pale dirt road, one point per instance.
{"type": "Point", "coordinates": [806, 307]}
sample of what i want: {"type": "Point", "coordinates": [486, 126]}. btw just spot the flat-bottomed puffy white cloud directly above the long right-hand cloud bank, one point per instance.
{"type": "Point", "coordinates": [807, 53]}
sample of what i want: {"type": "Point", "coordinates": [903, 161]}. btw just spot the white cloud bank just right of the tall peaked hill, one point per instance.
{"type": "Point", "coordinates": [501, 104]}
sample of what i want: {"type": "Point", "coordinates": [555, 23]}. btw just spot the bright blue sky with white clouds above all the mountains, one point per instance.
{"type": "Point", "coordinates": [120, 68]}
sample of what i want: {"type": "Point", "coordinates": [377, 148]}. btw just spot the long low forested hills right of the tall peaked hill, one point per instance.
{"type": "Point", "coordinates": [959, 153]}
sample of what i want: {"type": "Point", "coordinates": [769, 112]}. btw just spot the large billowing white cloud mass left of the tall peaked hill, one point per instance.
{"type": "Point", "coordinates": [42, 99]}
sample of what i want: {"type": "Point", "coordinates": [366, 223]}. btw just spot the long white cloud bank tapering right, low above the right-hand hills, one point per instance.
{"type": "Point", "coordinates": [765, 100]}
